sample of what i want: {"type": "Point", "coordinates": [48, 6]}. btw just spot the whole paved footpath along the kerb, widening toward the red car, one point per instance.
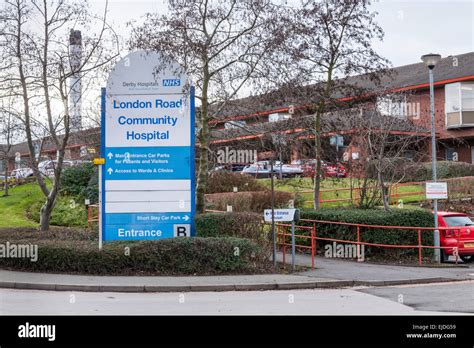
{"type": "Point", "coordinates": [329, 273]}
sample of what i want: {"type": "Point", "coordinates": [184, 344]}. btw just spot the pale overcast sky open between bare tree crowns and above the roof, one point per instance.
{"type": "Point", "coordinates": [412, 27]}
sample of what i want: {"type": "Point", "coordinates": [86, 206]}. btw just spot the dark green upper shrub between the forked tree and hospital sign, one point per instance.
{"type": "Point", "coordinates": [75, 180]}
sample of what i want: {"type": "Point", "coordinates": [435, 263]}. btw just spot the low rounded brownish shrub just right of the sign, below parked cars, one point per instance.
{"type": "Point", "coordinates": [225, 181]}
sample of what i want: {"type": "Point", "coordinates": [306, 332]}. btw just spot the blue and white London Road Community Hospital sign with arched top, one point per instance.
{"type": "Point", "coordinates": [148, 146]}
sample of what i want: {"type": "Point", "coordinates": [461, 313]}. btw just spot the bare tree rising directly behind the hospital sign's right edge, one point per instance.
{"type": "Point", "coordinates": [224, 47]}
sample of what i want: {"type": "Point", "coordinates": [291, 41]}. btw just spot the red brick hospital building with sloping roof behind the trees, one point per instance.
{"type": "Point", "coordinates": [242, 125]}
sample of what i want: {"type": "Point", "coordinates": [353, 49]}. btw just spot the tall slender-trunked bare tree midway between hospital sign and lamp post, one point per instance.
{"type": "Point", "coordinates": [334, 40]}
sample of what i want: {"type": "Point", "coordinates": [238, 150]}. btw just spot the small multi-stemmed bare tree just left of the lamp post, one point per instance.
{"type": "Point", "coordinates": [387, 142]}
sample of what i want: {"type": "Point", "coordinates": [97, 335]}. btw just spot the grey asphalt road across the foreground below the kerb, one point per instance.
{"type": "Point", "coordinates": [369, 301]}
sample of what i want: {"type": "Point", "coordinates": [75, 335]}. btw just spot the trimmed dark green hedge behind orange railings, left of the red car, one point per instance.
{"type": "Point", "coordinates": [395, 217]}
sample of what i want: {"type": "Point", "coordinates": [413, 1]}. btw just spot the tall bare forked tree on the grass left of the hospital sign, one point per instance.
{"type": "Point", "coordinates": [39, 64]}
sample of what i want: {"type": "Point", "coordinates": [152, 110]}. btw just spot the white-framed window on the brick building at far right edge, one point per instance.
{"type": "Point", "coordinates": [459, 105]}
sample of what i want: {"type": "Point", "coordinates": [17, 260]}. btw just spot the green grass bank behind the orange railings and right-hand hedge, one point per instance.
{"type": "Point", "coordinates": [407, 193]}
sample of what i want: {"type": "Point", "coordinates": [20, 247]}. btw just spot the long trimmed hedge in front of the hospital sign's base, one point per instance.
{"type": "Point", "coordinates": [174, 256]}
